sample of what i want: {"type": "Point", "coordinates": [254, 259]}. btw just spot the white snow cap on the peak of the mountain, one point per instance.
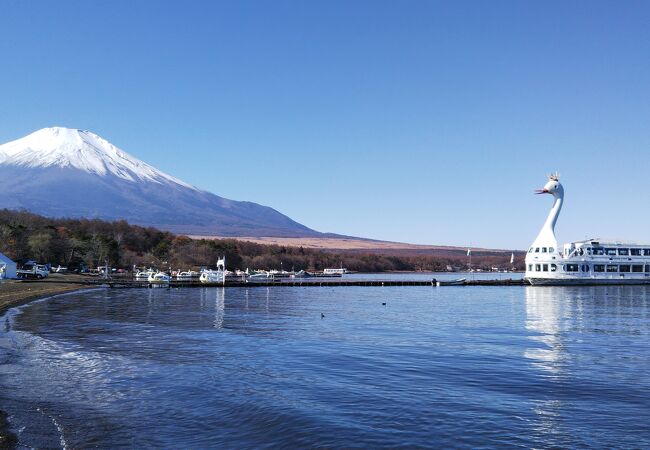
{"type": "Point", "coordinates": [80, 149]}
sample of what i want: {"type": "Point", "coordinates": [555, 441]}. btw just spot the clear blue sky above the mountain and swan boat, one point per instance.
{"type": "Point", "coordinates": [418, 121]}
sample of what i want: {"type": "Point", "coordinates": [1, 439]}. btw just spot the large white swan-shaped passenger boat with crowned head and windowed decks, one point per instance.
{"type": "Point", "coordinates": [592, 261]}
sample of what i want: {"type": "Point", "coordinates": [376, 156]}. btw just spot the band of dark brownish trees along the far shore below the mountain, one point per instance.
{"type": "Point", "coordinates": [77, 243]}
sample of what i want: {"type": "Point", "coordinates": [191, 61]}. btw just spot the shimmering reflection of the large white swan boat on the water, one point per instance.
{"type": "Point", "coordinates": [566, 327]}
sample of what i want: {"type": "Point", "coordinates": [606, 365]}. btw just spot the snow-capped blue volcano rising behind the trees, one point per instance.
{"type": "Point", "coordinates": [62, 172]}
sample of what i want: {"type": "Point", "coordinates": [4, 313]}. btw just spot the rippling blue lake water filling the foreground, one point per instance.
{"type": "Point", "coordinates": [462, 367]}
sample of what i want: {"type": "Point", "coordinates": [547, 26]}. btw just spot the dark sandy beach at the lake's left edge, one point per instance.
{"type": "Point", "coordinates": [16, 293]}
